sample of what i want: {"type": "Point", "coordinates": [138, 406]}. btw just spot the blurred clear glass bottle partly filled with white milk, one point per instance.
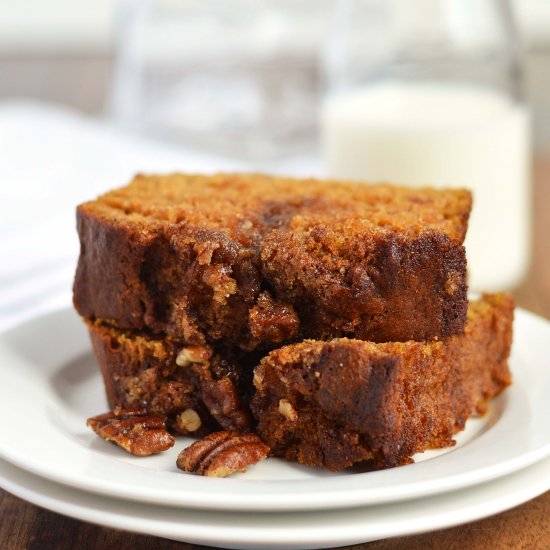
{"type": "Point", "coordinates": [427, 92]}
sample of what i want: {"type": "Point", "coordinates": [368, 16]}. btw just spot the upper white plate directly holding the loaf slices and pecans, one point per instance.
{"type": "Point", "coordinates": [50, 385]}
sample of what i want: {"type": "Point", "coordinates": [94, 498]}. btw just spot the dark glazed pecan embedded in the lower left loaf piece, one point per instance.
{"type": "Point", "coordinates": [223, 403]}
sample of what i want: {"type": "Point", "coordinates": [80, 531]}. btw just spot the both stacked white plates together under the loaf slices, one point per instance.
{"type": "Point", "coordinates": [50, 384]}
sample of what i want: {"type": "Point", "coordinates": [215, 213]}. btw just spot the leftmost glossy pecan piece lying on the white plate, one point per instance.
{"type": "Point", "coordinates": [134, 430]}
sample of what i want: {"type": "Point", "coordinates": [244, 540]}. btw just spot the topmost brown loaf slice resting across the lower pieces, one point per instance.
{"type": "Point", "coordinates": [250, 261]}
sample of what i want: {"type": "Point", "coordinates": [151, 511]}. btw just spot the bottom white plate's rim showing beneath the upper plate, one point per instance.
{"type": "Point", "coordinates": [320, 529]}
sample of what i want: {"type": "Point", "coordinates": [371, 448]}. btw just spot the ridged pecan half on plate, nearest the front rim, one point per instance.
{"type": "Point", "coordinates": [221, 454]}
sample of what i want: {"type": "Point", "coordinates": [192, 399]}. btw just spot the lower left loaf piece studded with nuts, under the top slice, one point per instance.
{"type": "Point", "coordinates": [196, 388]}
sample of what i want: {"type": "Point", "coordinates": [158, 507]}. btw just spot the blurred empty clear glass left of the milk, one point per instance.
{"type": "Point", "coordinates": [240, 78]}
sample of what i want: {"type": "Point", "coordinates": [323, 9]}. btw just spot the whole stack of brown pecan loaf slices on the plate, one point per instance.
{"type": "Point", "coordinates": [330, 318]}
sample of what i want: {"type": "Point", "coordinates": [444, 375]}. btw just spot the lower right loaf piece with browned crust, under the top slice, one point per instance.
{"type": "Point", "coordinates": [337, 403]}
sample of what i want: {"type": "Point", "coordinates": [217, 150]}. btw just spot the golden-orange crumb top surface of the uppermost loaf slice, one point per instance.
{"type": "Point", "coordinates": [245, 206]}
